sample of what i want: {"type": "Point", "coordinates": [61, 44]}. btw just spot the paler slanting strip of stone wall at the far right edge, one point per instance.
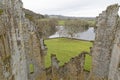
{"type": "Point", "coordinates": [114, 68]}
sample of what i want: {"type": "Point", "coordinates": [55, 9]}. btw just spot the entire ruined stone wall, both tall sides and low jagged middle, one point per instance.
{"type": "Point", "coordinates": [22, 48]}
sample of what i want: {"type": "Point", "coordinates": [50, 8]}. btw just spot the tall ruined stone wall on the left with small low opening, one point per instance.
{"type": "Point", "coordinates": [21, 47]}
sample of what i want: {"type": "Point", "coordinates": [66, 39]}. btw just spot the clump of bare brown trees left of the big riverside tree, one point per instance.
{"type": "Point", "coordinates": [47, 27]}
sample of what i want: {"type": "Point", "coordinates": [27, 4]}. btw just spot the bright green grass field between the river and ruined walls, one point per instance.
{"type": "Point", "coordinates": [65, 49]}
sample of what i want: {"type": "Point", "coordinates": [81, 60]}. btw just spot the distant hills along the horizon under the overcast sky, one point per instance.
{"type": "Point", "coordinates": [32, 16]}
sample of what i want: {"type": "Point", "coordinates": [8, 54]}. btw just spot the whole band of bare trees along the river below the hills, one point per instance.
{"type": "Point", "coordinates": [47, 26]}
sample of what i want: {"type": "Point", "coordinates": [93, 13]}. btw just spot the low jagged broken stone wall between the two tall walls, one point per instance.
{"type": "Point", "coordinates": [72, 70]}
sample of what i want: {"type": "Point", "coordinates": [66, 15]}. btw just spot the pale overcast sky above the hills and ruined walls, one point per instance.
{"type": "Point", "coordinates": [78, 8]}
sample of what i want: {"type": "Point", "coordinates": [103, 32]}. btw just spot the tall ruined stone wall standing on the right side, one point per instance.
{"type": "Point", "coordinates": [106, 50]}
